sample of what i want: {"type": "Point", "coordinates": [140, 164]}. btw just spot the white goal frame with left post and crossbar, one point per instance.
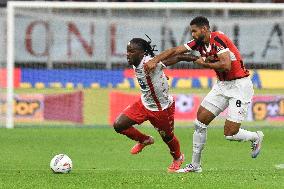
{"type": "Point", "coordinates": [12, 6]}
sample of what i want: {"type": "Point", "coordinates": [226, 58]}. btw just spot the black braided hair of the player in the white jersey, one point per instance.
{"type": "Point", "coordinates": [145, 45]}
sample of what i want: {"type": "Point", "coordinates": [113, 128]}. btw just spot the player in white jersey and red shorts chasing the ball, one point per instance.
{"type": "Point", "coordinates": [155, 104]}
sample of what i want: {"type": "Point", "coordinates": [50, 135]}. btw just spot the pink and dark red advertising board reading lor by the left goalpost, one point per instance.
{"type": "Point", "coordinates": [41, 107]}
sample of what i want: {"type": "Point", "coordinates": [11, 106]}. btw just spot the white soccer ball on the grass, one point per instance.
{"type": "Point", "coordinates": [61, 163]}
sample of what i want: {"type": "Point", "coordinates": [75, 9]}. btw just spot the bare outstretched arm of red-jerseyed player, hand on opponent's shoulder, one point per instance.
{"type": "Point", "coordinates": [169, 53]}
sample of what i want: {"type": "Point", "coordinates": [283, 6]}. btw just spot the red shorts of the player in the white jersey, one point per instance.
{"type": "Point", "coordinates": [163, 120]}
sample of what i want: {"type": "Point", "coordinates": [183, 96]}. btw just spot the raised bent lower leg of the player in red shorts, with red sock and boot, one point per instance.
{"type": "Point", "coordinates": [124, 125]}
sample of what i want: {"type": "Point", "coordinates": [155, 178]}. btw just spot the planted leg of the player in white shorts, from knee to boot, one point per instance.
{"type": "Point", "coordinates": [204, 117]}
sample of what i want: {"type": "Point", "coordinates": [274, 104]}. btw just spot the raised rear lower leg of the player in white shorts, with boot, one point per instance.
{"type": "Point", "coordinates": [233, 132]}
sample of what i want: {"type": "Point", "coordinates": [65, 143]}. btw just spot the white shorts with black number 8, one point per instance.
{"type": "Point", "coordinates": [235, 94]}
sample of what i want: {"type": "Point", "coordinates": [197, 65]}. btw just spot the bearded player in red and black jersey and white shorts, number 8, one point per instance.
{"type": "Point", "coordinates": [233, 89]}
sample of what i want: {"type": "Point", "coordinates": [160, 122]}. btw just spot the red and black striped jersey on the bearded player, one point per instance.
{"type": "Point", "coordinates": [220, 43]}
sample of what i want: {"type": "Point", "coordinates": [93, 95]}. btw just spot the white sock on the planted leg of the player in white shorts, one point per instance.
{"type": "Point", "coordinates": [199, 140]}
